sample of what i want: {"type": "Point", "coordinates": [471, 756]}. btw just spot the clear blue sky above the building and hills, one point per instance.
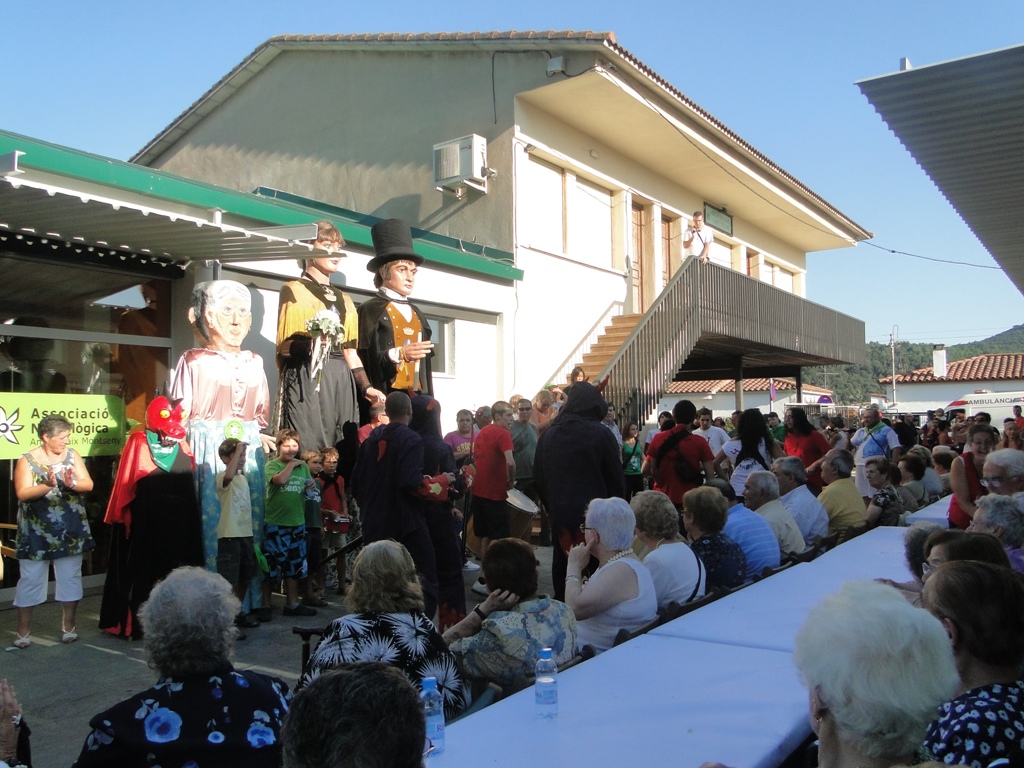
{"type": "Point", "coordinates": [107, 77]}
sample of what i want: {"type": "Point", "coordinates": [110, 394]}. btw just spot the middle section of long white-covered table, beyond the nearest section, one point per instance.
{"type": "Point", "coordinates": [770, 614]}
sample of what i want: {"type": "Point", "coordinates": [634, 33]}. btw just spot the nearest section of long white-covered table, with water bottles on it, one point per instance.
{"type": "Point", "coordinates": [653, 702]}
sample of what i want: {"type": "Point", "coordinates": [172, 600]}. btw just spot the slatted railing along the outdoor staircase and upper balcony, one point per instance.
{"type": "Point", "coordinates": [711, 300]}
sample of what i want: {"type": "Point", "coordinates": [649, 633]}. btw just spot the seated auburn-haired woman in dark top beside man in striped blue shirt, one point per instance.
{"type": "Point", "coordinates": [705, 514]}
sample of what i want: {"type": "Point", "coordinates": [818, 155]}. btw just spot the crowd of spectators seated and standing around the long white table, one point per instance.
{"type": "Point", "coordinates": [636, 526]}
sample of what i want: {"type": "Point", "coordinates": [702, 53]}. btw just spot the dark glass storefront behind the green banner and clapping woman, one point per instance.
{"type": "Point", "coordinates": [62, 331]}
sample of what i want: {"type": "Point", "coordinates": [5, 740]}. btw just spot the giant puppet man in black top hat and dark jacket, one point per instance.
{"type": "Point", "coordinates": [395, 337]}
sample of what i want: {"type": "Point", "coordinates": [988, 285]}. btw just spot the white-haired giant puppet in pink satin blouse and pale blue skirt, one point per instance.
{"type": "Point", "coordinates": [225, 391]}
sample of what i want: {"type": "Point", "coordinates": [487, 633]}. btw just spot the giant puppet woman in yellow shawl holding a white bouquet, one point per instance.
{"type": "Point", "coordinates": [322, 377]}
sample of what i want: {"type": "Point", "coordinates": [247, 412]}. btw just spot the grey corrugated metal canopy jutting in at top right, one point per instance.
{"type": "Point", "coordinates": [963, 121]}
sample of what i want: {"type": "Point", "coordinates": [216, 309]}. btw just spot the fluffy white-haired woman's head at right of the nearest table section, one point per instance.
{"type": "Point", "coordinates": [876, 669]}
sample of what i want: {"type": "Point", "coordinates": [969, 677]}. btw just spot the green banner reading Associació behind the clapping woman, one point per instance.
{"type": "Point", "coordinates": [99, 422]}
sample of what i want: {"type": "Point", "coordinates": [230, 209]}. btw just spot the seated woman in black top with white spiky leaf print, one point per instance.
{"type": "Point", "coordinates": [388, 624]}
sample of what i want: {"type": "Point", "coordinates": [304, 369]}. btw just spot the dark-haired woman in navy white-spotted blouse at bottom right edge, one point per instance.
{"type": "Point", "coordinates": [982, 607]}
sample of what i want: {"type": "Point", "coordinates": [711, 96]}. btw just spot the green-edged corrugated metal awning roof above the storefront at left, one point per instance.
{"type": "Point", "coordinates": [80, 203]}
